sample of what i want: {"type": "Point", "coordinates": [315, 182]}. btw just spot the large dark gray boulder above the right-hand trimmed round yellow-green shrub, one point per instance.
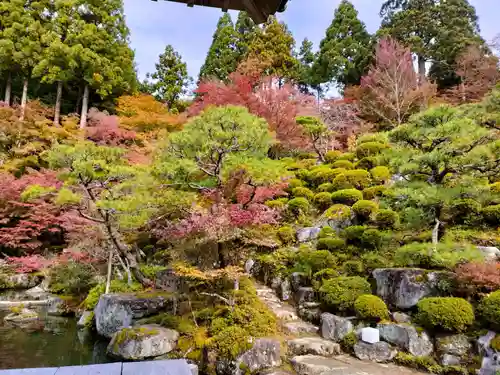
{"type": "Point", "coordinates": [404, 287]}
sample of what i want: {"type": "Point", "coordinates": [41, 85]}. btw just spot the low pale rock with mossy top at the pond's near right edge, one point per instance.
{"type": "Point", "coordinates": [141, 342]}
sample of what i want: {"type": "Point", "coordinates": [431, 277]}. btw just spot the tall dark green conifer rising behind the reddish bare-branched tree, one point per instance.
{"type": "Point", "coordinates": [346, 49]}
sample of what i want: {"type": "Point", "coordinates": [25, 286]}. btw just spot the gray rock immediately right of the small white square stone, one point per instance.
{"type": "Point", "coordinates": [407, 338]}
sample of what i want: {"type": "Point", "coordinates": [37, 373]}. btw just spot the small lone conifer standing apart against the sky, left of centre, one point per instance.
{"type": "Point", "coordinates": [171, 77]}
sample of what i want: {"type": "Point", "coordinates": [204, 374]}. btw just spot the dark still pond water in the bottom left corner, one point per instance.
{"type": "Point", "coordinates": [51, 342]}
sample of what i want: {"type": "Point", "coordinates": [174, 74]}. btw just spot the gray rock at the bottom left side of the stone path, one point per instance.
{"type": "Point", "coordinates": [265, 353]}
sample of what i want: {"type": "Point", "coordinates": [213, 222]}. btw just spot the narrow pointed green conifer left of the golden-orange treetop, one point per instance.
{"type": "Point", "coordinates": [222, 56]}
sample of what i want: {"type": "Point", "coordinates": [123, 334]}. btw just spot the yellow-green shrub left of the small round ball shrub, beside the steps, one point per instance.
{"type": "Point", "coordinates": [340, 293]}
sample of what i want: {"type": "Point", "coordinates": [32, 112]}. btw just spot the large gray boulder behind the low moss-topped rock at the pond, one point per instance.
{"type": "Point", "coordinates": [116, 311]}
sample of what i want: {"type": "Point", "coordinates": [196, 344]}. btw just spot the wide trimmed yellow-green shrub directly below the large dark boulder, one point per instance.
{"type": "Point", "coordinates": [445, 313]}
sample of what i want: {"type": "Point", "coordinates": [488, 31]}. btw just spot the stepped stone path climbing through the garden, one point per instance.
{"type": "Point", "coordinates": [313, 355]}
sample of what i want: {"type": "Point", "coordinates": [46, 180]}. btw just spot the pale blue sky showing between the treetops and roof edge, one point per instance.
{"type": "Point", "coordinates": [153, 25]}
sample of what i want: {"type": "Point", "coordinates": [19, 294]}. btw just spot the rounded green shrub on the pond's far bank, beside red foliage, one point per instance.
{"type": "Point", "coordinates": [71, 278]}
